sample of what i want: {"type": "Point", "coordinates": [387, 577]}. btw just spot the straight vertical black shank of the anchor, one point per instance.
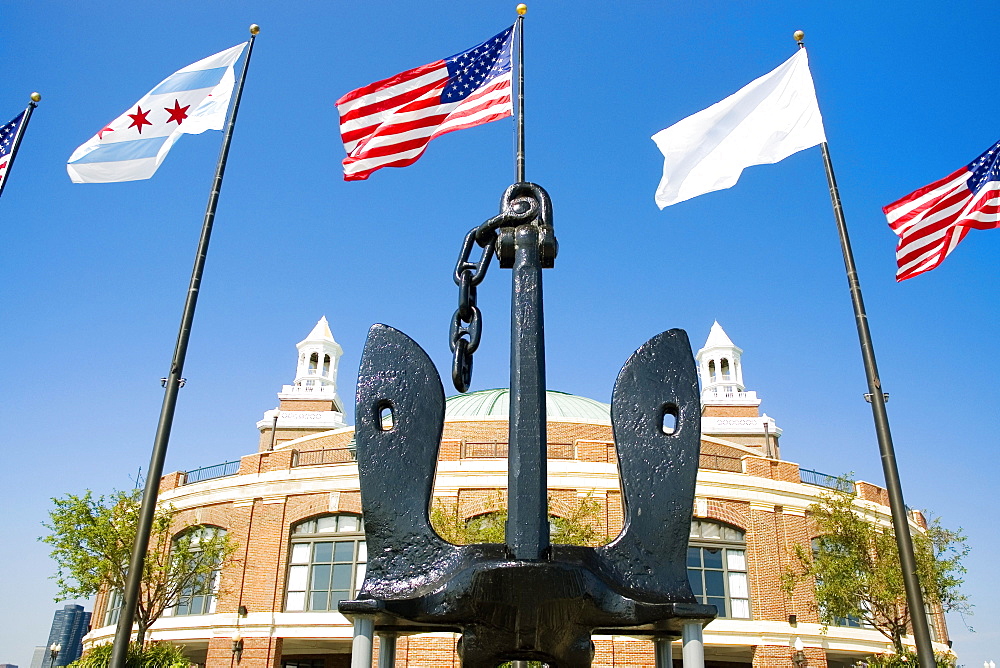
{"type": "Point", "coordinates": [527, 520]}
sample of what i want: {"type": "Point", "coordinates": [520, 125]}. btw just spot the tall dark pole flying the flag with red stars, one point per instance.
{"type": "Point", "coordinates": [172, 383]}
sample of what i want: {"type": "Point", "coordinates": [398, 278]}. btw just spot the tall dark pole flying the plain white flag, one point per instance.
{"type": "Point", "coordinates": [900, 524]}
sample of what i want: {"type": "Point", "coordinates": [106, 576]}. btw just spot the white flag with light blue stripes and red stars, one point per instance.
{"type": "Point", "coordinates": [189, 101]}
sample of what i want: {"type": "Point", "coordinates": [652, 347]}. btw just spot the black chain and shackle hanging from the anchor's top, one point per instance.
{"type": "Point", "coordinates": [522, 203]}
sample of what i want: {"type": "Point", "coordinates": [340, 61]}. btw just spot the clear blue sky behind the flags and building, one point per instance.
{"type": "Point", "coordinates": [95, 275]}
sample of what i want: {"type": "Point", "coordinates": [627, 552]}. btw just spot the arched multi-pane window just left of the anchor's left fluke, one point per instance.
{"type": "Point", "coordinates": [327, 562]}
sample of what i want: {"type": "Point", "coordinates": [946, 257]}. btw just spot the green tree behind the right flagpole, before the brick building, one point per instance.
{"type": "Point", "coordinates": [855, 566]}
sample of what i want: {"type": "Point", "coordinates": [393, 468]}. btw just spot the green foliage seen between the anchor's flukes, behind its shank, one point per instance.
{"type": "Point", "coordinates": [579, 527]}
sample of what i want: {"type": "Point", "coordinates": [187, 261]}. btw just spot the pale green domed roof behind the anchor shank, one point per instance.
{"type": "Point", "coordinates": [495, 404]}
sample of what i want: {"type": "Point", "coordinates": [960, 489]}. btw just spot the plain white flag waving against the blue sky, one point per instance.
{"type": "Point", "coordinates": [765, 121]}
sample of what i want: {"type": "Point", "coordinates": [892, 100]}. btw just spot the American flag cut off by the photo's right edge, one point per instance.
{"type": "Point", "coordinates": [931, 221]}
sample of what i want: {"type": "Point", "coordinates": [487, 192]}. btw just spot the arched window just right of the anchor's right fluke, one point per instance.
{"type": "Point", "coordinates": [717, 568]}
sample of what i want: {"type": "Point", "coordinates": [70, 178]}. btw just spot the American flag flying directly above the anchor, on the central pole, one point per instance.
{"type": "Point", "coordinates": [390, 122]}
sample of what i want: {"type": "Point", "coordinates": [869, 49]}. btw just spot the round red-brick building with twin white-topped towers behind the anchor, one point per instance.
{"type": "Point", "coordinates": [293, 507]}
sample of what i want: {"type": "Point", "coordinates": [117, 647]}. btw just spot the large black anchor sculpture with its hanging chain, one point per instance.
{"type": "Point", "coordinates": [526, 599]}
